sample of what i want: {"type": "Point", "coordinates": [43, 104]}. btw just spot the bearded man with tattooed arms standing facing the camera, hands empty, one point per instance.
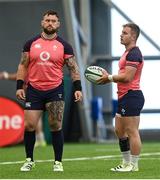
{"type": "Point", "coordinates": [41, 65]}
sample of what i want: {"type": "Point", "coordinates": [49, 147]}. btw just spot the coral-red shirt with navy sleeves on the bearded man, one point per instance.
{"type": "Point", "coordinates": [46, 61]}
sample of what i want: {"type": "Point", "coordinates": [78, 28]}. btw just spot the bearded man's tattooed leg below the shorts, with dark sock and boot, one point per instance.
{"type": "Point", "coordinates": [55, 117]}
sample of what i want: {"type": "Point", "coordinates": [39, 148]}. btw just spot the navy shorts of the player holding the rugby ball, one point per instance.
{"type": "Point", "coordinates": [131, 103]}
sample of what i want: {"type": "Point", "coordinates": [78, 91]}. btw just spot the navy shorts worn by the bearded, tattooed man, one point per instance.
{"type": "Point", "coordinates": [36, 99]}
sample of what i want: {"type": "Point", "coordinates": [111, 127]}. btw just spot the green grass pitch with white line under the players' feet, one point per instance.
{"type": "Point", "coordinates": [80, 161]}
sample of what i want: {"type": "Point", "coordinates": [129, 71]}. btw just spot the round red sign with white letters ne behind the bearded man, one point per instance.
{"type": "Point", "coordinates": [11, 122]}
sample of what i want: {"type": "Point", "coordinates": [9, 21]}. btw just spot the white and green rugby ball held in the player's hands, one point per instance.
{"type": "Point", "coordinates": [93, 73]}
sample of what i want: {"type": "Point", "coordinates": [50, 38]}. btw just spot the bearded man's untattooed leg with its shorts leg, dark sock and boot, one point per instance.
{"type": "Point", "coordinates": [33, 110]}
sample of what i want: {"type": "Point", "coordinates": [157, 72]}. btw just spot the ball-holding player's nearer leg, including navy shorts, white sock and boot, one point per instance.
{"type": "Point", "coordinates": [132, 105]}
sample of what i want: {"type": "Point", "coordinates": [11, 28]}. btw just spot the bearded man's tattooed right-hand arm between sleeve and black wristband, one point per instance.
{"type": "Point", "coordinates": [73, 68]}
